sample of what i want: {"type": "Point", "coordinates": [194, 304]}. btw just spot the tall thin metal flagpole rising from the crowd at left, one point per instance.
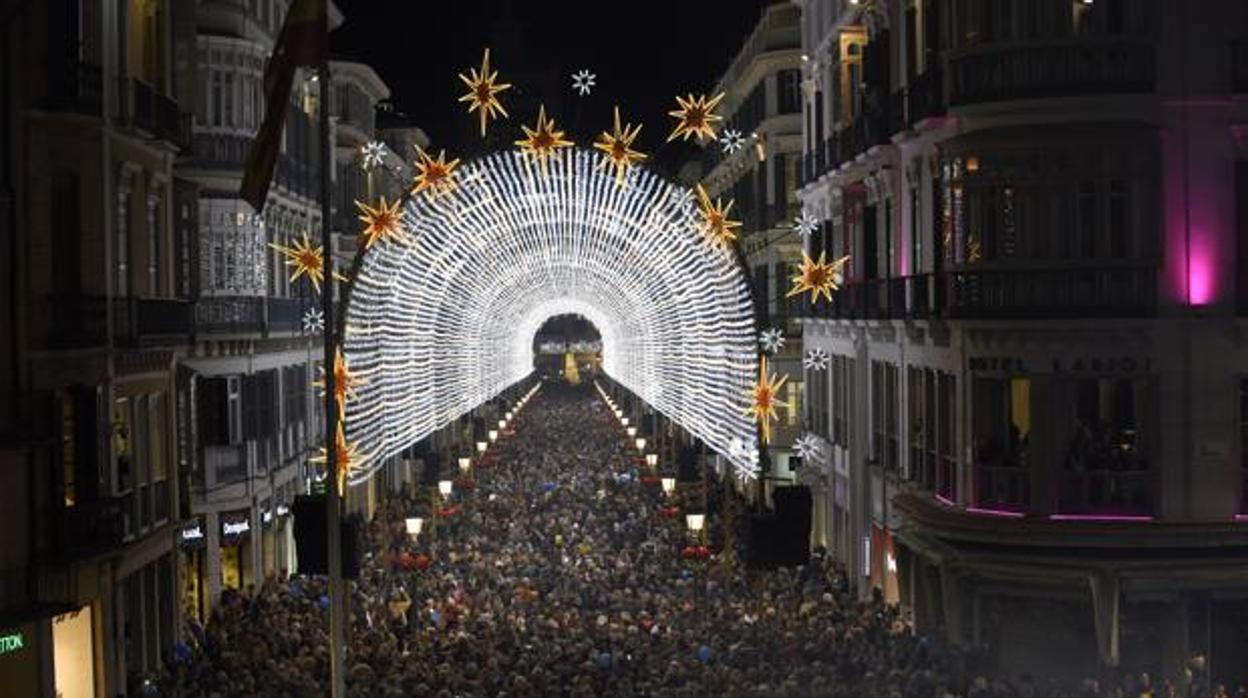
{"type": "Point", "coordinates": [334, 499]}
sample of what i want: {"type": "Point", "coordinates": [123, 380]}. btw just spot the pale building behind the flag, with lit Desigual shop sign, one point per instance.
{"type": "Point", "coordinates": [249, 411]}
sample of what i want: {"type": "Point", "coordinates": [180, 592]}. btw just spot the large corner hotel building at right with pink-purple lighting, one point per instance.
{"type": "Point", "coordinates": [1034, 420]}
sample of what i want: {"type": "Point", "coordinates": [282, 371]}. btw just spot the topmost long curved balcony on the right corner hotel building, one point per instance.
{"type": "Point", "coordinates": [1075, 68]}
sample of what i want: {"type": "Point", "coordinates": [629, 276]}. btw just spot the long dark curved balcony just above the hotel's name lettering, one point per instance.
{"type": "Point", "coordinates": [1054, 293]}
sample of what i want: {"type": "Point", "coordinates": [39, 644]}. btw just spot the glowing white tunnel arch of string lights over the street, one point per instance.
{"type": "Point", "coordinates": [442, 324]}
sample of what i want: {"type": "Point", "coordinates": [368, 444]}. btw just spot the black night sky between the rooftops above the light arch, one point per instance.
{"type": "Point", "coordinates": [643, 53]}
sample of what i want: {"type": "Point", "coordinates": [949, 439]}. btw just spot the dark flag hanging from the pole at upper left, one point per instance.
{"type": "Point", "coordinates": [304, 42]}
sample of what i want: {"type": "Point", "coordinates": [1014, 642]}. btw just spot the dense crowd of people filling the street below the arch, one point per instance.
{"type": "Point", "coordinates": [552, 574]}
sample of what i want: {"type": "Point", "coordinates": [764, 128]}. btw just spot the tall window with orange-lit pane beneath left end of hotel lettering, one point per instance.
{"type": "Point", "coordinates": [1000, 445]}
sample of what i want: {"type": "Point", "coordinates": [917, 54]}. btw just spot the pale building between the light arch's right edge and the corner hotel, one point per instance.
{"type": "Point", "coordinates": [763, 104]}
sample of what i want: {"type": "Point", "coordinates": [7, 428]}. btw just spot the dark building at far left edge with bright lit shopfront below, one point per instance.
{"type": "Point", "coordinates": [97, 318]}
